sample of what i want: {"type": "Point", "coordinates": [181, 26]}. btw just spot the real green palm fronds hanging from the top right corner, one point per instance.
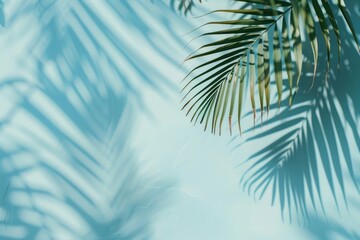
{"type": "Point", "coordinates": [259, 36]}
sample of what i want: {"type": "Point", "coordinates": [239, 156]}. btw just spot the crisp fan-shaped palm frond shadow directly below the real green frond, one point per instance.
{"type": "Point", "coordinates": [311, 140]}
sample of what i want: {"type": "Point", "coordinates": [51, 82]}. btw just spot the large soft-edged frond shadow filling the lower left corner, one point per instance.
{"type": "Point", "coordinates": [69, 176]}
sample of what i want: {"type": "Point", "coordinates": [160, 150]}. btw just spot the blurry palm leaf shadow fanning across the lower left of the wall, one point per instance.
{"type": "Point", "coordinates": [104, 161]}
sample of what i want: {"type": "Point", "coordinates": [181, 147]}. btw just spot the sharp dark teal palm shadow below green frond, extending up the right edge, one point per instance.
{"type": "Point", "coordinates": [307, 150]}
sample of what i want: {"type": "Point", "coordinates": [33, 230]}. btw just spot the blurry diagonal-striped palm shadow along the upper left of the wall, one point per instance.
{"type": "Point", "coordinates": [110, 31]}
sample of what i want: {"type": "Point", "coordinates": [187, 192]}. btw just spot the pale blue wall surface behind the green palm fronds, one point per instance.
{"type": "Point", "coordinates": [93, 144]}
